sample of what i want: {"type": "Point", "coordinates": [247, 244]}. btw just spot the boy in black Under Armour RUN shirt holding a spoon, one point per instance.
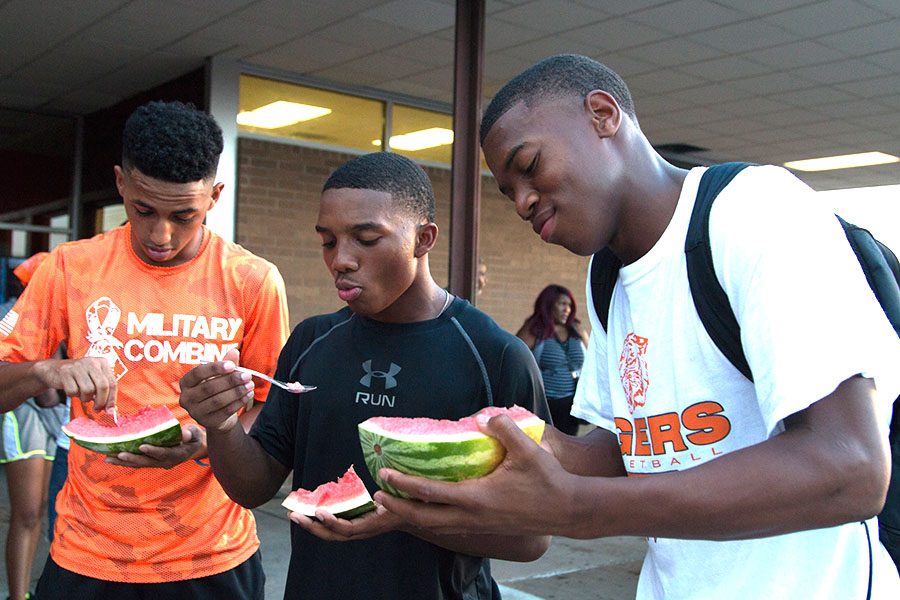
{"type": "Point", "coordinates": [403, 347]}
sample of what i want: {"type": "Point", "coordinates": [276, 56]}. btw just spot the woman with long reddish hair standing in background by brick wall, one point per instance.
{"type": "Point", "coordinates": [556, 338]}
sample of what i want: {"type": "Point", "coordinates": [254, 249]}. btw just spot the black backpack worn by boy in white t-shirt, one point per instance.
{"type": "Point", "coordinates": [880, 265]}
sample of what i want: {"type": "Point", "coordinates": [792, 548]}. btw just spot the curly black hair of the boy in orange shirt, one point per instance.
{"type": "Point", "coordinates": [172, 141]}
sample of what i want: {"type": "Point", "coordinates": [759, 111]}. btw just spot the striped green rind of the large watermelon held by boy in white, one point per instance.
{"type": "Point", "coordinates": [461, 457]}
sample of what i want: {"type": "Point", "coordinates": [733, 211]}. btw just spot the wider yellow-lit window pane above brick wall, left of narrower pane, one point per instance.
{"type": "Point", "coordinates": [290, 111]}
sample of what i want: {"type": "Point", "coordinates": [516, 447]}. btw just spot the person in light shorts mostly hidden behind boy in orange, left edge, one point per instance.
{"type": "Point", "coordinates": [28, 446]}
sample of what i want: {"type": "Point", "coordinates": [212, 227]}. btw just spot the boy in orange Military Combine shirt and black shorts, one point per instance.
{"type": "Point", "coordinates": [137, 307]}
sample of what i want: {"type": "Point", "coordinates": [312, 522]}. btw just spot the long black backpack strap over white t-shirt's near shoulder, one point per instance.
{"type": "Point", "coordinates": [710, 299]}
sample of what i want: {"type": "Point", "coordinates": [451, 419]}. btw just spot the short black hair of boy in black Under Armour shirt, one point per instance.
{"type": "Point", "coordinates": [404, 180]}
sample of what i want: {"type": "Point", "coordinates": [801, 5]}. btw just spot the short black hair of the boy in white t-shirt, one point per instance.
{"type": "Point", "coordinates": [555, 77]}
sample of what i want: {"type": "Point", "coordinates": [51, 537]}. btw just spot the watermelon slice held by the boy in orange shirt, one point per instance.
{"type": "Point", "coordinates": [154, 426]}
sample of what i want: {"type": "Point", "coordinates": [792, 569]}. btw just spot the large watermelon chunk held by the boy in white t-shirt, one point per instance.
{"type": "Point", "coordinates": [438, 448]}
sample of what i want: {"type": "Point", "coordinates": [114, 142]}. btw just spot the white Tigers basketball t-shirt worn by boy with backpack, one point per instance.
{"type": "Point", "coordinates": [808, 322]}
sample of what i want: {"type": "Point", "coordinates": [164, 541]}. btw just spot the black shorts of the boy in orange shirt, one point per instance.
{"type": "Point", "coordinates": [244, 582]}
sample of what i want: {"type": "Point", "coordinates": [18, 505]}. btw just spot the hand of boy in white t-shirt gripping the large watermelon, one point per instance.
{"type": "Point", "coordinates": [511, 500]}
